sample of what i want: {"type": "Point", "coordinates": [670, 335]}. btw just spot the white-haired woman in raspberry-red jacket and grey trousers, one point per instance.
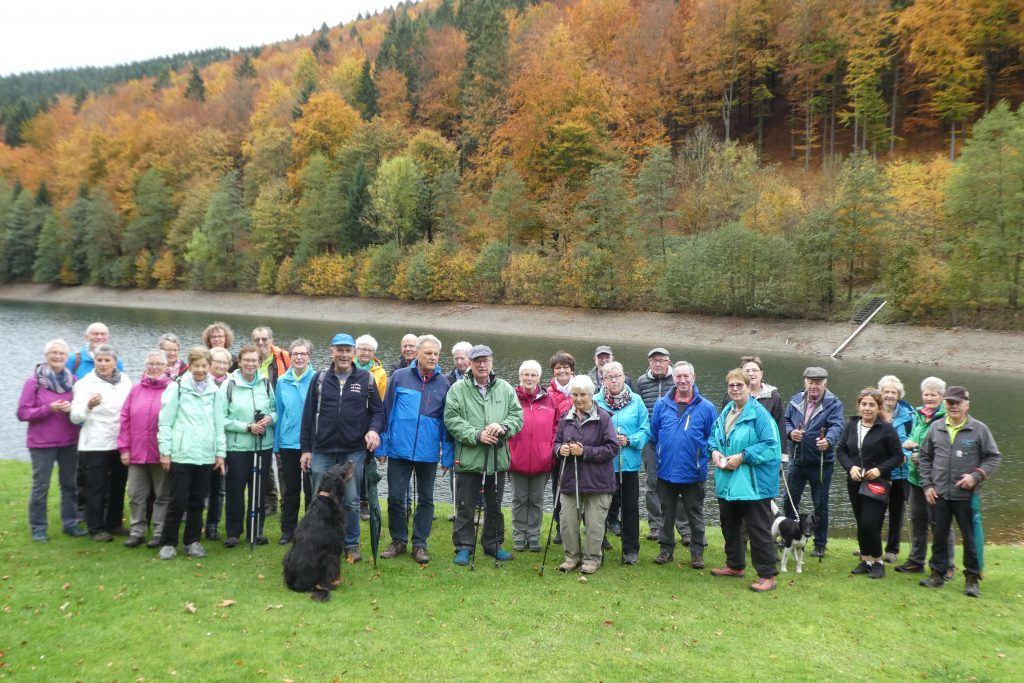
{"type": "Point", "coordinates": [532, 457]}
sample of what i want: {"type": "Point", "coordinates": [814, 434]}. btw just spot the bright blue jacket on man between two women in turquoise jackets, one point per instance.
{"type": "Point", "coordinates": [681, 438]}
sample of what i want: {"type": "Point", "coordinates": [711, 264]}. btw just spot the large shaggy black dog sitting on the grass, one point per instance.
{"type": "Point", "coordinates": [314, 563]}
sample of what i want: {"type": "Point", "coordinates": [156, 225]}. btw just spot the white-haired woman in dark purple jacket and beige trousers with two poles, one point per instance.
{"type": "Point", "coordinates": [587, 443]}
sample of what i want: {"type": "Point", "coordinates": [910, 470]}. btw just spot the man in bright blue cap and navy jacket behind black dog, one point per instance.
{"type": "Point", "coordinates": [343, 420]}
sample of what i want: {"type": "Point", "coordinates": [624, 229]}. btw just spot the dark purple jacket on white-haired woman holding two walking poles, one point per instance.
{"type": "Point", "coordinates": [601, 446]}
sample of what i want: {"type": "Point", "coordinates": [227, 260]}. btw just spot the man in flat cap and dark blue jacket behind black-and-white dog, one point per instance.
{"type": "Point", "coordinates": [814, 425]}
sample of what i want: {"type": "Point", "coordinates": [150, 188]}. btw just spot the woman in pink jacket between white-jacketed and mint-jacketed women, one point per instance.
{"type": "Point", "coordinates": [138, 446]}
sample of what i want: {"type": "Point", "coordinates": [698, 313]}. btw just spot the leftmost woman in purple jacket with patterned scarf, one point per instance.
{"type": "Point", "coordinates": [46, 405]}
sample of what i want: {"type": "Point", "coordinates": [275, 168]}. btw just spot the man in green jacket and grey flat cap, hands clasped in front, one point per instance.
{"type": "Point", "coordinates": [482, 414]}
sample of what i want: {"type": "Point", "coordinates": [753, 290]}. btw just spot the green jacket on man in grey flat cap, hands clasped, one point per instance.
{"type": "Point", "coordinates": [467, 413]}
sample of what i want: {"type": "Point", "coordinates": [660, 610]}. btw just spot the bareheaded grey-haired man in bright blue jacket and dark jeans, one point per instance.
{"type": "Point", "coordinates": [415, 439]}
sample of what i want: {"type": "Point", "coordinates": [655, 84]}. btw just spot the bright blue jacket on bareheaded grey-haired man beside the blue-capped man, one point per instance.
{"type": "Point", "coordinates": [414, 418]}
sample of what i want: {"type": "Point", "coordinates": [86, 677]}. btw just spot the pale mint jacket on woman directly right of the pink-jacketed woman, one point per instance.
{"type": "Point", "coordinates": [191, 430]}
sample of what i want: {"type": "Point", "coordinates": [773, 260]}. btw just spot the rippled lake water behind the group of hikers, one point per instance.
{"type": "Point", "coordinates": [997, 399]}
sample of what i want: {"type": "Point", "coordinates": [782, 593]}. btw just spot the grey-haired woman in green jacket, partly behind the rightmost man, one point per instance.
{"type": "Point", "coordinates": [923, 515]}
